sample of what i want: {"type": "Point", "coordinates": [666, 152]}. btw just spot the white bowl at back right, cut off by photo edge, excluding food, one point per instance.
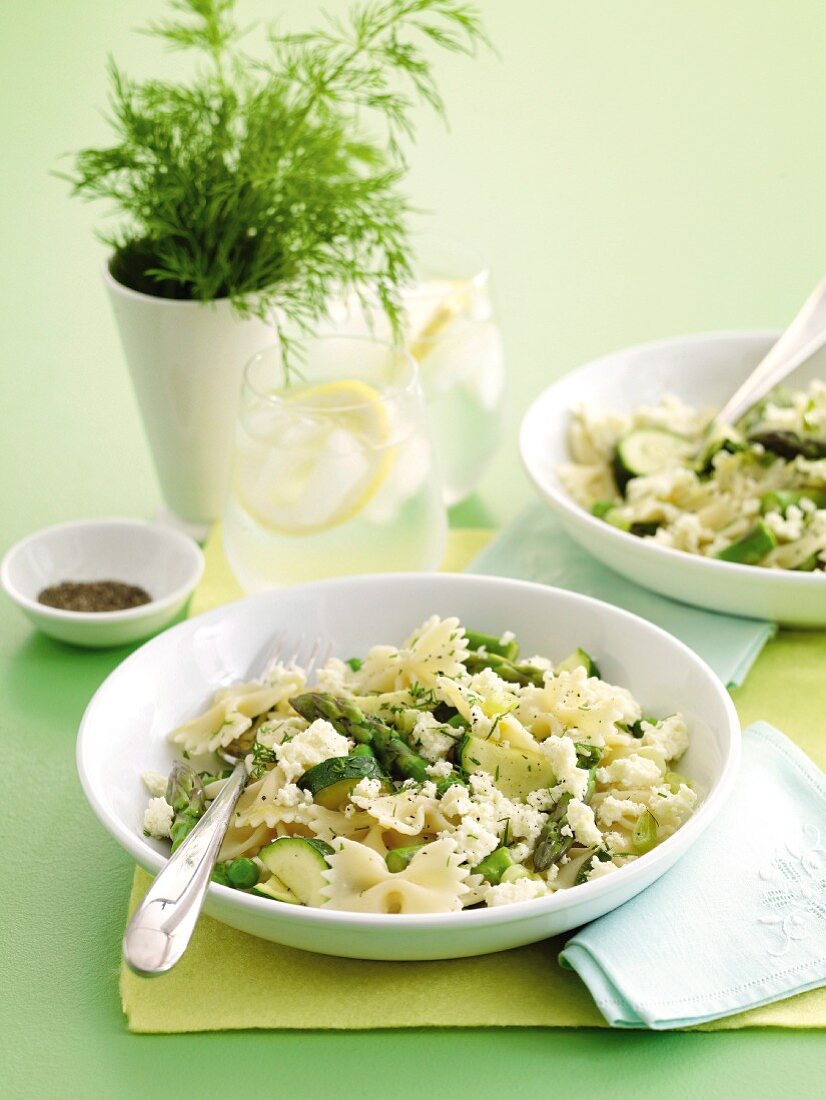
{"type": "Point", "coordinates": [704, 371]}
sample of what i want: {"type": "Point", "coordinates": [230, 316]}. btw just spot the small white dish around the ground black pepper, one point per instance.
{"type": "Point", "coordinates": [159, 559]}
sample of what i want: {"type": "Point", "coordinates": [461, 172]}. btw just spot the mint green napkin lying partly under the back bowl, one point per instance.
{"type": "Point", "coordinates": [535, 548]}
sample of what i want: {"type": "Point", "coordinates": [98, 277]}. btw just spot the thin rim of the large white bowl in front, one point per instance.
{"type": "Point", "coordinates": [516, 911]}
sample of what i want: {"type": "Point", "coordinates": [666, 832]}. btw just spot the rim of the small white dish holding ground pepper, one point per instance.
{"type": "Point", "coordinates": [183, 542]}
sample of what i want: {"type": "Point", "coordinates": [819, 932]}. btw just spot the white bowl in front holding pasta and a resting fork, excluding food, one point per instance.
{"type": "Point", "coordinates": [174, 677]}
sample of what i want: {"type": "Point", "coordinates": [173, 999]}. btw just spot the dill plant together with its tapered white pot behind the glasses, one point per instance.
{"type": "Point", "coordinates": [249, 197]}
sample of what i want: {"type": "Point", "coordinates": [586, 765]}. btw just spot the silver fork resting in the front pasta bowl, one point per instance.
{"type": "Point", "coordinates": [164, 922]}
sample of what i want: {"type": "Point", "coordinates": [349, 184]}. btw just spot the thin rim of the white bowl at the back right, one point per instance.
{"type": "Point", "coordinates": [563, 501]}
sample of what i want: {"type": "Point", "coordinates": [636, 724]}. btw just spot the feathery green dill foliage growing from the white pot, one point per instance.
{"type": "Point", "coordinates": [274, 181]}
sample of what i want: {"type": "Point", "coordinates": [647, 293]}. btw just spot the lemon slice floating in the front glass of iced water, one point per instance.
{"type": "Point", "coordinates": [316, 460]}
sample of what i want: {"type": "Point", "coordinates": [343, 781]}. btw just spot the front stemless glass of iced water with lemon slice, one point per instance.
{"type": "Point", "coordinates": [335, 474]}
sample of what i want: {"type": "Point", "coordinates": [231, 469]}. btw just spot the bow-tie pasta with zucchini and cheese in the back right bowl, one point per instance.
{"type": "Point", "coordinates": [754, 496]}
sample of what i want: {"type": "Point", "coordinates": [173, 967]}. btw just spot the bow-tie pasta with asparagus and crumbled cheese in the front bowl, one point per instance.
{"type": "Point", "coordinates": [429, 778]}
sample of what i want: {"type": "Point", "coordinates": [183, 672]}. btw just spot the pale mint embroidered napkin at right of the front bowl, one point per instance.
{"type": "Point", "coordinates": [740, 922]}
